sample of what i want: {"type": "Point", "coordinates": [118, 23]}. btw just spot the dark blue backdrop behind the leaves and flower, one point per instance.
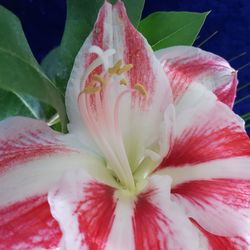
{"type": "Point", "coordinates": [43, 23]}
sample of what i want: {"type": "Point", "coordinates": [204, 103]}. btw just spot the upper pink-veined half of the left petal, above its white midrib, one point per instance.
{"type": "Point", "coordinates": [24, 139]}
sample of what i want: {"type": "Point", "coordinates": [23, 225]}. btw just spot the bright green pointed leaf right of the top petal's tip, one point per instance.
{"type": "Point", "coordinates": [165, 29]}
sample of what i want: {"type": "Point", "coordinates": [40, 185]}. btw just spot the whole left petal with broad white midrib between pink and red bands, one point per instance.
{"type": "Point", "coordinates": [33, 159]}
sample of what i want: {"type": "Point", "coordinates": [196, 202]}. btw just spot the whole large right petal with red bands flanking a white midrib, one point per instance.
{"type": "Point", "coordinates": [209, 163]}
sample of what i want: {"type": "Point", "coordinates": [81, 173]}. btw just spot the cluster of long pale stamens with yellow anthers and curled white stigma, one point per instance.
{"type": "Point", "coordinates": [103, 88]}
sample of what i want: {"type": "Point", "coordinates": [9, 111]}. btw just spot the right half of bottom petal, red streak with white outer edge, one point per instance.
{"type": "Point", "coordinates": [158, 223]}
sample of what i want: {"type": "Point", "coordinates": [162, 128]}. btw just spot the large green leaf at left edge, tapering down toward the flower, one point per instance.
{"type": "Point", "coordinates": [19, 71]}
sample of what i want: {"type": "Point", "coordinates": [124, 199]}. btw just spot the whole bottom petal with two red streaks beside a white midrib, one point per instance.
{"type": "Point", "coordinates": [81, 204]}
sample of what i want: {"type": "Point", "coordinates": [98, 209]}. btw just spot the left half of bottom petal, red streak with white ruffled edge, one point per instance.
{"type": "Point", "coordinates": [84, 209]}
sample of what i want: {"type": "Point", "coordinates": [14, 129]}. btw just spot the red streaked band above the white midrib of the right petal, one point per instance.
{"type": "Point", "coordinates": [195, 146]}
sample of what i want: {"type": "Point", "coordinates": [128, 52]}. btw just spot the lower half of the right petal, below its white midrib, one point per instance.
{"type": "Point", "coordinates": [221, 206]}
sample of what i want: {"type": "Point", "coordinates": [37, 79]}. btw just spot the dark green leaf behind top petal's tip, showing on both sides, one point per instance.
{"type": "Point", "coordinates": [81, 16]}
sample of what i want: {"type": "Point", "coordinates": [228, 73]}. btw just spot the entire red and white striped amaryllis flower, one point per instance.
{"type": "Point", "coordinates": [154, 157]}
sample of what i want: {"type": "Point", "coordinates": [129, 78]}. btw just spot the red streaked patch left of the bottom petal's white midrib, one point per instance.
{"type": "Point", "coordinates": [96, 214]}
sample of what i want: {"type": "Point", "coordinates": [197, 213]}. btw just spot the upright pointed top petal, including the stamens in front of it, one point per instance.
{"type": "Point", "coordinates": [121, 120]}
